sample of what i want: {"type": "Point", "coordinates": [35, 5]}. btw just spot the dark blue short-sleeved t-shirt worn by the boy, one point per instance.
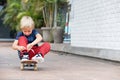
{"type": "Point", "coordinates": [30, 38]}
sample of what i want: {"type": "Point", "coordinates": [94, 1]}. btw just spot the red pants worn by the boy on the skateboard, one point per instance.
{"type": "Point", "coordinates": [43, 49]}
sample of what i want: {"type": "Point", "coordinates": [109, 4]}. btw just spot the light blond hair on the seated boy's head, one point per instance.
{"type": "Point", "coordinates": [26, 22]}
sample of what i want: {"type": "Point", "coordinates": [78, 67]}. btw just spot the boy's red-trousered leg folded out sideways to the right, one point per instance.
{"type": "Point", "coordinates": [43, 50]}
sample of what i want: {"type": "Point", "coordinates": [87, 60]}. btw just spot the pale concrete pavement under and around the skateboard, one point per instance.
{"type": "Point", "coordinates": [57, 66]}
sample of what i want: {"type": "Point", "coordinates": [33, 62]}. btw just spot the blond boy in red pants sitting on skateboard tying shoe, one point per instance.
{"type": "Point", "coordinates": [27, 42]}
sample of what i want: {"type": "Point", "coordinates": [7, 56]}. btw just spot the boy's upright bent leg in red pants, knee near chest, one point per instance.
{"type": "Point", "coordinates": [22, 41]}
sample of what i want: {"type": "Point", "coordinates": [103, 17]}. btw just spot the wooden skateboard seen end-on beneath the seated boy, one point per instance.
{"type": "Point", "coordinates": [28, 63]}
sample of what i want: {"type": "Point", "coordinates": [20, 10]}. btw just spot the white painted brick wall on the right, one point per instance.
{"type": "Point", "coordinates": [95, 23]}
